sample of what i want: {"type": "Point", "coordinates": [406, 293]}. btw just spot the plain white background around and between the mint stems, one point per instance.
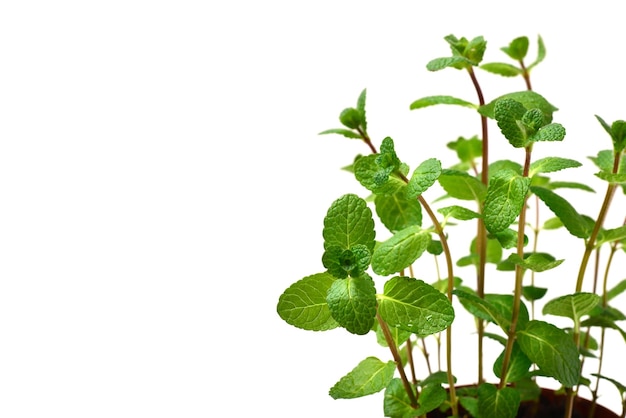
{"type": "Point", "coordinates": [162, 182]}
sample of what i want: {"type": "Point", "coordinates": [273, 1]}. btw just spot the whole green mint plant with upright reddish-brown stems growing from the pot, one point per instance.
{"type": "Point", "coordinates": [367, 286]}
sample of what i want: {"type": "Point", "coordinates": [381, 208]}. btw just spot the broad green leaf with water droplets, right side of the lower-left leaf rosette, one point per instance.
{"type": "Point", "coordinates": [415, 306]}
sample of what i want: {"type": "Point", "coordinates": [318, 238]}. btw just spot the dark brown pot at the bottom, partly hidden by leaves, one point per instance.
{"type": "Point", "coordinates": [551, 404]}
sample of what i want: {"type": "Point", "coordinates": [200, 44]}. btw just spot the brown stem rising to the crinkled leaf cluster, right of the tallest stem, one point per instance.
{"type": "Point", "coordinates": [519, 275]}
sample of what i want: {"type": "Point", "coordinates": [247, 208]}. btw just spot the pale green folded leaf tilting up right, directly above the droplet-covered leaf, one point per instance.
{"type": "Point", "coordinates": [400, 251]}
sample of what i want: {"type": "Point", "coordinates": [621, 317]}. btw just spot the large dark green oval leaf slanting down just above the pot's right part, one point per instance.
{"type": "Point", "coordinates": [552, 349]}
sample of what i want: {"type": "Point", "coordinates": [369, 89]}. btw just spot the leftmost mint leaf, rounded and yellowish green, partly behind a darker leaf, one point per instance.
{"type": "Point", "coordinates": [304, 305]}
